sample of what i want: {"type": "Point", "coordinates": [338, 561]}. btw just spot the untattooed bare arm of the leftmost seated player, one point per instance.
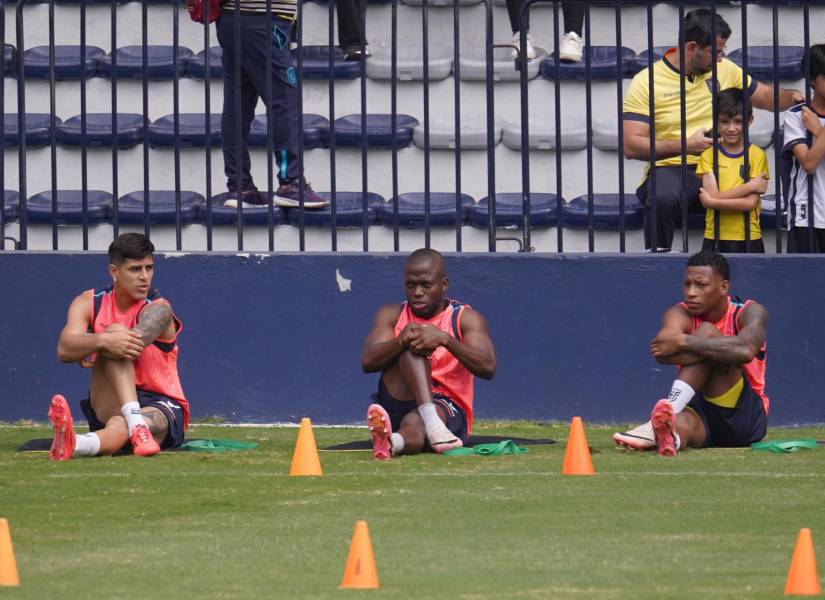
{"type": "Point", "coordinates": [76, 343]}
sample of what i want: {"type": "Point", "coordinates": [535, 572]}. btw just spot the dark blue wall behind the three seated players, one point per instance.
{"type": "Point", "coordinates": [273, 337]}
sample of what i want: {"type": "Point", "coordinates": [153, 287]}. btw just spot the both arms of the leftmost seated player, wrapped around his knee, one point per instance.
{"type": "Point", "coordinates": [76, 343]}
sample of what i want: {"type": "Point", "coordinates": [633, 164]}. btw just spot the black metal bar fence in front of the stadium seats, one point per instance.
{"type": "Point", "coordinates": [523, 218]}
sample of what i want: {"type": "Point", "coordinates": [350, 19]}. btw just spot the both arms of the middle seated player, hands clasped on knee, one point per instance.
{"type": "Point", "coordinates": [382, 348]}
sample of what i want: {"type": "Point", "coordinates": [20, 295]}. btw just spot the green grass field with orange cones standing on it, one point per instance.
{"type": "Point", "coordinates": [708, 524]}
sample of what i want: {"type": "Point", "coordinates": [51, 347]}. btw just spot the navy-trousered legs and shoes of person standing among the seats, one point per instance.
{"type": "Point", "coordinates": [253, 48]}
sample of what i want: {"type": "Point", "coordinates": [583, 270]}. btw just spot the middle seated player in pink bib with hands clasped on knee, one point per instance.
{"type": "Point", "coordinates": [427, 349]}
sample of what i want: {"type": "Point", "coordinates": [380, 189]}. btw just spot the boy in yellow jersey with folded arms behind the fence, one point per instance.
{"type": "Point", "coordinates": [735, 195]}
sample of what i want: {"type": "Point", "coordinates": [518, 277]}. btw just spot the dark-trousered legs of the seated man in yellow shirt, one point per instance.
{"type": "Point", "coordinates": [670, 194]}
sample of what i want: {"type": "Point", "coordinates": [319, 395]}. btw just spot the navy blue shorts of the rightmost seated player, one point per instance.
{"type": "Point", "coordinates": [735, 427]}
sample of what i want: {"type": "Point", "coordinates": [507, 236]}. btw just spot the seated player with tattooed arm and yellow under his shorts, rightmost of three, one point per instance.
{"type": "Point", "coordinates": [717, 341]}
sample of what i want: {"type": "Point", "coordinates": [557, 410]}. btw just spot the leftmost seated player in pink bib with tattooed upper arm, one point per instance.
{"type": "Point", "coordinates": [127, 334]}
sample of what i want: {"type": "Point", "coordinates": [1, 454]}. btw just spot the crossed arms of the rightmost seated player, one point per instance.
{"type": "Point", "coordinates": [673, 345]}
